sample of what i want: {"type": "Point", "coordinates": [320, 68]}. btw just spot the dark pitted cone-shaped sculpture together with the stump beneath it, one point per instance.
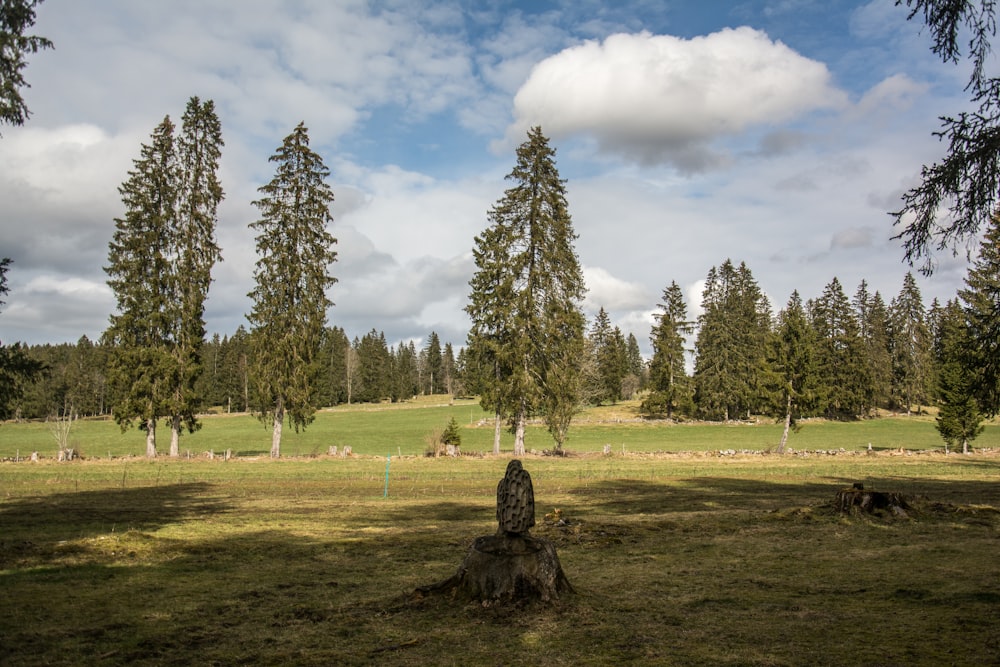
{"type": "Point", "coordinates": [510, 566]}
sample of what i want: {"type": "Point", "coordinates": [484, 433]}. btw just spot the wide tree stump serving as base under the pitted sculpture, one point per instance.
{"type": "Point", "coordinates": [506, 569]}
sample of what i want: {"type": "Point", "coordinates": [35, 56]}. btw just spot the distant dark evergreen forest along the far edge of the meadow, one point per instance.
{"type": "Point", "coordinates": [858, 355]}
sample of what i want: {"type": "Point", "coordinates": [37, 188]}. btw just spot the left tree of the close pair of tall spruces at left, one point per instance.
{"type": "Point", "coordinates": [140, 334]}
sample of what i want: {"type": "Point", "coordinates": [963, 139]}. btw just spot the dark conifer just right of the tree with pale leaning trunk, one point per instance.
{"type": "Point", "coordinates": [837, 353]}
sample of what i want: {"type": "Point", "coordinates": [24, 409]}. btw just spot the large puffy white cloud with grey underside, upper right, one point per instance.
{"type": "Point", "coordinates": [662, 99]}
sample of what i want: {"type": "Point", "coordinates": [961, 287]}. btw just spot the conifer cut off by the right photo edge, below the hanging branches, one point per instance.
{"type": "Point", "coordinates": [981, 301]}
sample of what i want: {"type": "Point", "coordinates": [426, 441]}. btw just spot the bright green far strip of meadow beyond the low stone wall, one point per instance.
{"type": "Point", "coordinates": [404, 430]}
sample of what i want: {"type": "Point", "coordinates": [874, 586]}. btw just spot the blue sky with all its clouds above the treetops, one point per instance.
{"type": "Point", "coordinates": [775, 132]}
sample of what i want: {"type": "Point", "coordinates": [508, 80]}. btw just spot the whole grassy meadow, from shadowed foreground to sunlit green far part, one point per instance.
{"type": "Point", "coordinates": [677, 558]}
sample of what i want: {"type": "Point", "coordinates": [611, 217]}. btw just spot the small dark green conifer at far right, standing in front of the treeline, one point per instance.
{"type": "Point", "coordinates": [959, 420]}
